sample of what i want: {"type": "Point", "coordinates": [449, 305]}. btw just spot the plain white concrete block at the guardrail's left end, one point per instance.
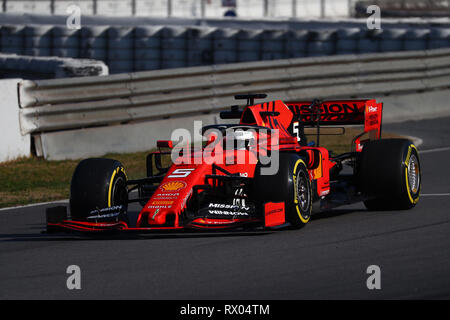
{"type": "Point", "coordinates": [12, 143]}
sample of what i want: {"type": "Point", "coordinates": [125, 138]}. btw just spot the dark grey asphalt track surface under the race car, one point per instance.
{"type": "Point", "coordinates": [328, 259]}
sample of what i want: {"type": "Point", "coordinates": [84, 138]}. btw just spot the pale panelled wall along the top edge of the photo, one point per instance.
{"type": "Point", "coordinates": [184, 8]}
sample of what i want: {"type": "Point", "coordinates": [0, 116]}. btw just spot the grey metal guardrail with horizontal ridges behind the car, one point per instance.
{"type": "Point", "coordinates": [52, 105]}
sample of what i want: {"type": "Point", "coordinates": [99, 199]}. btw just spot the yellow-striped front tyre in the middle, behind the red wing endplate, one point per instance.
{"type": "Point", "coordinates": [290, 185]}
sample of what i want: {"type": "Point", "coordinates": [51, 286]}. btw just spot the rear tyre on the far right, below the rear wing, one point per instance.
{"type": "Point", "coordinates": [389, 173]}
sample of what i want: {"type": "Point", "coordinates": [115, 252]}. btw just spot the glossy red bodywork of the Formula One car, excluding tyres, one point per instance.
{"type": "Point", "coordinates": [164, 209]}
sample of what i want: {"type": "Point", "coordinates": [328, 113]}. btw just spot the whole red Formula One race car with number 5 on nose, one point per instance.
{"type": "Point", "coordinates": [259, 173]}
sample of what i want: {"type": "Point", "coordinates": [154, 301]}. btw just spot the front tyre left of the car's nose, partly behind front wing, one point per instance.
{"type": "Point", "coordinates": [96, 184]}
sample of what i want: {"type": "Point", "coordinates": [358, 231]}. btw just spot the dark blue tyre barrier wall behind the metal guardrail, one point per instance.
{"type": "Point", "coordinates": [131, 48]}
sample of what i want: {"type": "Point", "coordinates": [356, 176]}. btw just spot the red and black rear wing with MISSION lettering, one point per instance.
{"type": "Point", "coordinates": [340, 112]}
